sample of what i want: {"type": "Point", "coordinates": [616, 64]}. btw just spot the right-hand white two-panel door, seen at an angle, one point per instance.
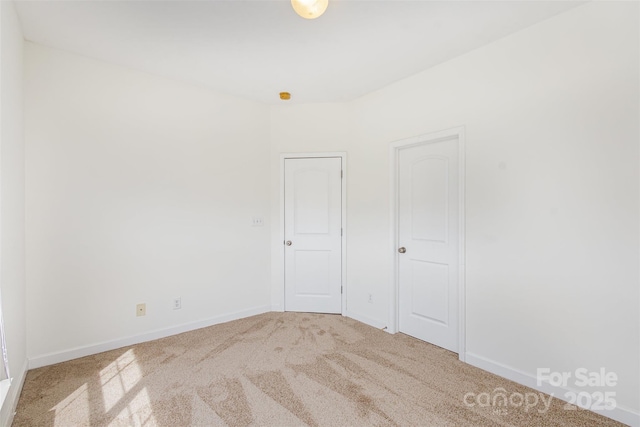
{"type": "Point", "coordinates": [428, 242]}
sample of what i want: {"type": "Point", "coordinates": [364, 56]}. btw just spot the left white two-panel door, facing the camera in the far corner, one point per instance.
{"type": "Point", "coordinates": [313, 234]}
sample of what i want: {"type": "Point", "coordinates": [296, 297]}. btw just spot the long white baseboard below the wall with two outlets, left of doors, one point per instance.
{"type": "Point", "coordinates": [74, 353]}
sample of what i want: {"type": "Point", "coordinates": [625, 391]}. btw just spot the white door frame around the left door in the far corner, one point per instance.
{"type": "Point", "coordinates": [342, 155]}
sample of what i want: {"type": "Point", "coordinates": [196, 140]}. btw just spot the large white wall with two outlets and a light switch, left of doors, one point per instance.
{"type": "Point", "coordinates": [140, 189]}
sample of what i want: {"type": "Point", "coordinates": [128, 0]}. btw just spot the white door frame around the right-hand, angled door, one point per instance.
{"type": "Point", "coordinates": [394, 151]}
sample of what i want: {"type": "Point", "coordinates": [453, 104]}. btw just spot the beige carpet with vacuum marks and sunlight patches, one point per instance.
{"type": "Point", "coordinates": [283, 369]}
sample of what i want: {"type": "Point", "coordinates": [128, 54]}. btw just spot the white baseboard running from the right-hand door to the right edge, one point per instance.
{"type": "Point", "coordinates": [620, 414]}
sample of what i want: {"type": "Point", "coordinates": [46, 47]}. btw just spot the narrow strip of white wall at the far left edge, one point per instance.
{"type": "Point", "coordinates": [12, 193]}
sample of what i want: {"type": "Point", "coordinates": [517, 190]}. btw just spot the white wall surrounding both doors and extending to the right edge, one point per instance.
{"type": "Point", "coordinates": [551, 118]}
